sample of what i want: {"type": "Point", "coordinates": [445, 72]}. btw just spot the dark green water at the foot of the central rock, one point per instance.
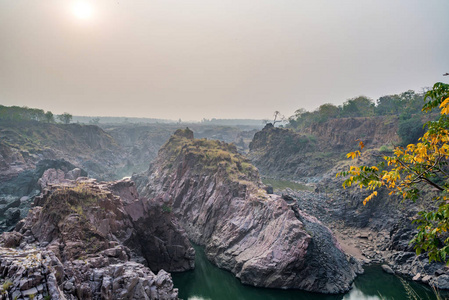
{"type": "Point", "coordinates": [207, 282]}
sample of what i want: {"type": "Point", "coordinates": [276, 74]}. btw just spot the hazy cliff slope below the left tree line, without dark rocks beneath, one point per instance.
{"type": "Point", "coordinates": [24, 144]}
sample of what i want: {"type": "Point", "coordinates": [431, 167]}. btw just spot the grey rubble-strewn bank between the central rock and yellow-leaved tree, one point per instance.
{"type": "Point", "coordinates": [381, 232]}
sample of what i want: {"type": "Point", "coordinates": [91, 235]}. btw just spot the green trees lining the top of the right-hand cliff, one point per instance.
{"type": "Point", "coordinates": [407, 106]}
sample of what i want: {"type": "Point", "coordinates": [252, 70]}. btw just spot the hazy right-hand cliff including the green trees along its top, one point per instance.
{"type": "Point", "coordinates": [315, 142]}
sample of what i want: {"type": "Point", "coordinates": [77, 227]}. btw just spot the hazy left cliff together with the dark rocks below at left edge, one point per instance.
{"type": "Point", "coordinates": [29, 148]}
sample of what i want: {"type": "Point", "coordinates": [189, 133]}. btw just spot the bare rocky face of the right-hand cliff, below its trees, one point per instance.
{"type": "Point", "coordinates": [307, 155]}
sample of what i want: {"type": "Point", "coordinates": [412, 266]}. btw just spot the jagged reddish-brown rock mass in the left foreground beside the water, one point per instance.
{"type": "Point", "coordinates": [95, 240]}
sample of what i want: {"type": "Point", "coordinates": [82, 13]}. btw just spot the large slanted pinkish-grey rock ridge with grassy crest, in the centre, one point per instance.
{"type": "Point", "coordinates": [220, 202]}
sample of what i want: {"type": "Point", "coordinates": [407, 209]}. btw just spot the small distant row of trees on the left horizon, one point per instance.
{"type": "Point", "coordinates": [18, 114]}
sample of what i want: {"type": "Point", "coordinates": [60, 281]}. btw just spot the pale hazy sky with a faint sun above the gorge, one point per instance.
{"type": "Point", "coordinates": [195, 59]}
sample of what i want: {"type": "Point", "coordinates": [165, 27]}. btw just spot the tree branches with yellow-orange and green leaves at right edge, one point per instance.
{"type": "Point", "coordinates": [416, 168]}
